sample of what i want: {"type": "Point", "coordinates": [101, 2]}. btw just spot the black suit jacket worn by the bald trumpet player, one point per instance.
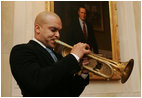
{"type": "Point", "coordinates": [38, 75]}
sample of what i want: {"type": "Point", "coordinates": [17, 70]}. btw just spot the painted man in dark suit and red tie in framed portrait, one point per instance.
{"type": "Point", "coordinates": [81, 31]}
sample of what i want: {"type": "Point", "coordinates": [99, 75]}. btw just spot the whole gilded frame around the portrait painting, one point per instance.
{"type": "Point", "coordinates": [114, 33]}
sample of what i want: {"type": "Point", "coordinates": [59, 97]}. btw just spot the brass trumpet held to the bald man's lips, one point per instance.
{"type": "Point", "coordinates": [101, 66]}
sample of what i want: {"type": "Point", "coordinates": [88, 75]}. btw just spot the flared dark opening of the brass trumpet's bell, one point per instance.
{"type": "Point", "coordinates": [127, 71]}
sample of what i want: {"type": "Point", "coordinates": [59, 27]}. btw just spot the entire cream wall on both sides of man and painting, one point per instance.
{"type": "Point", "coordinates": [22, 31]}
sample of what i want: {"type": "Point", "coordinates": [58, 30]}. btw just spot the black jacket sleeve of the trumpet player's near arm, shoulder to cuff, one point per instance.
{"type": "Point", "coordinates": [29, 74]}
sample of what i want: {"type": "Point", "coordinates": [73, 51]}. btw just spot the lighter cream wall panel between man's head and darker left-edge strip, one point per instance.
{"type": "Point", "coordinates": [24, 15]}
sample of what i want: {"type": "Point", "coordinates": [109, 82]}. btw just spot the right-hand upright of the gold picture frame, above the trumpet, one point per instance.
{"type": "Point", "coordinates": [114, 31]}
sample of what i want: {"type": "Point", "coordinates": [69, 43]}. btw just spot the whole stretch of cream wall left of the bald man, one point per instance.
{"type": "Point", "coordinates": [17, 27]}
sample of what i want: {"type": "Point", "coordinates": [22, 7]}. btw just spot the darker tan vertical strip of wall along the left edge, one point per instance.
{"type": "Point", "coordinates": [6, 44]}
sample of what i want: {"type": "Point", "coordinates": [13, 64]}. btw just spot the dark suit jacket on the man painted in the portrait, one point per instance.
{"type": "Point", "coordinates": [75, 34]}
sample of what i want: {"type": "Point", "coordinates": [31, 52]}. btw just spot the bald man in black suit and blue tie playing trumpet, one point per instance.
{"type": "Point", "coordinates": [39, 71]}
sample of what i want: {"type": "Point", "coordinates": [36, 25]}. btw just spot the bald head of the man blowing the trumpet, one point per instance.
{"type": "Point", "coordinates": [47, 27]}
